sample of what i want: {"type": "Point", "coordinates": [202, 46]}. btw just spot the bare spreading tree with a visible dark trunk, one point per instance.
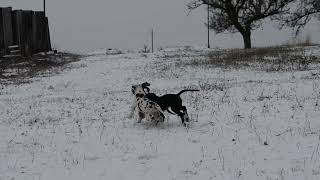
{"type": "Point", "coordinates": [242, 16]}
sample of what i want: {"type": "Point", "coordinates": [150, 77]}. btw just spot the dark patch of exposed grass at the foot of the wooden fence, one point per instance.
{"type": "Point", "coordinates": [16, 70]}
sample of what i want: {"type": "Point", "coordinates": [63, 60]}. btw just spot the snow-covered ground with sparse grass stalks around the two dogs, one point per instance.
{"type": "Point", "coordinates": [246, 124]}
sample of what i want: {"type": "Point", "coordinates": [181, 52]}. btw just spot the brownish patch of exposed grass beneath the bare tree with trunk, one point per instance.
{"type": "Point", "coordinates": [267, 58]}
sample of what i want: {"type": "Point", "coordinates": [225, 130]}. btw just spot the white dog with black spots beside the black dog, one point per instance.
{"type": "Point", "coordinates": [145, 107]}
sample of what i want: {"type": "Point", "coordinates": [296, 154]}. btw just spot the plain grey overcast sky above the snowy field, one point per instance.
{"type": "Point", "coordinates": [84, 25]}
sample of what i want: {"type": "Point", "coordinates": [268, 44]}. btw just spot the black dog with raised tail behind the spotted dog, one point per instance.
{"type": "Point", "coordinates": [172, 101]}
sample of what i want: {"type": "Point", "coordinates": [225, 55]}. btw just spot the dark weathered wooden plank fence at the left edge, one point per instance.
{"type": "Point", "coordinates": [23, 32]}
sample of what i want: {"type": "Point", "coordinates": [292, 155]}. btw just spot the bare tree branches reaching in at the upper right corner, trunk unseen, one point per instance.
{"type": "Point", "coordinates": [301, 14]}
